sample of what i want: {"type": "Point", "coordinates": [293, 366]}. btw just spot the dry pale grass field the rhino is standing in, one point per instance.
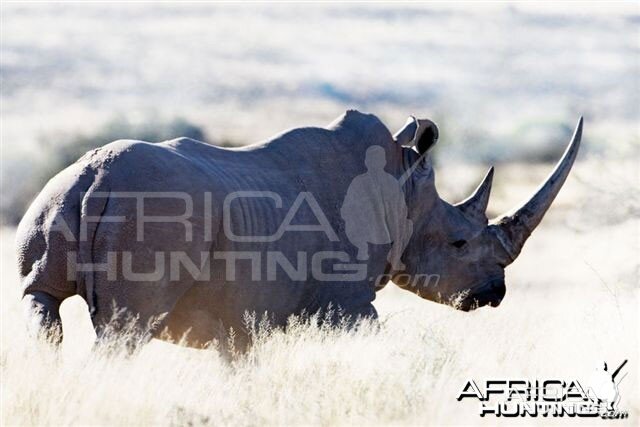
{"type": "Point", "coordinates": [572, 303]}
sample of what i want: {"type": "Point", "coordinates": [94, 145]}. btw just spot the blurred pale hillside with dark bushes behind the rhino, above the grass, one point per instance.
{"type": "Point", "coordinates": [505, 82]}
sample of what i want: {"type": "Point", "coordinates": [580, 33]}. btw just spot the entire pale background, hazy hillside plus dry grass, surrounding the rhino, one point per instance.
{"type": "Point", "coordinates": [506, 84]}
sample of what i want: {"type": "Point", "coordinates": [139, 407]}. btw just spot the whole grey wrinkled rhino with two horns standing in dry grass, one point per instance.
{"type": "Point", "coordinates": [454, 242]}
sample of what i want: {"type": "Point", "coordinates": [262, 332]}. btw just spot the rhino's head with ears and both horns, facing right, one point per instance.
{"type": "Point", "coordinates": [457, 243]}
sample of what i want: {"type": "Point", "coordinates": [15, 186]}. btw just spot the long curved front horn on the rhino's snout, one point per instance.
{"type": "Point", "coordinates": [515, 227]}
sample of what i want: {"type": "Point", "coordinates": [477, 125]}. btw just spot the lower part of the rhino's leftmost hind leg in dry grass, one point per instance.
{"type": "Point", "coordinates": [42, 313]}
